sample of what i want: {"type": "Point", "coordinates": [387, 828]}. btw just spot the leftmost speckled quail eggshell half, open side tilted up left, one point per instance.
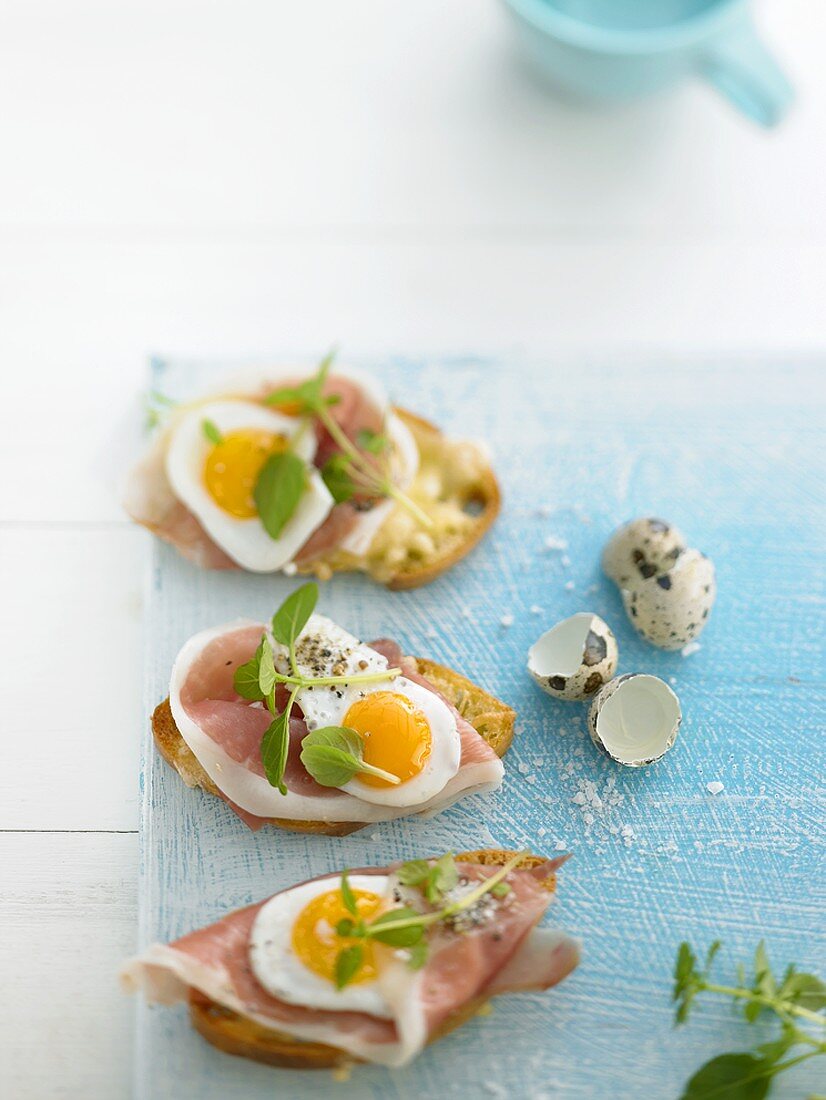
{"type": "Point", "coordinates": [575, 658]}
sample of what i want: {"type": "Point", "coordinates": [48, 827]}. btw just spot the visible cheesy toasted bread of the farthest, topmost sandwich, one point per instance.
{"type": "Point", "coordinates": [456, 487]}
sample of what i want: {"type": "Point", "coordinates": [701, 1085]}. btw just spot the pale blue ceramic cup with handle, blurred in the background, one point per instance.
{"type": "Point", "coordinates": [620, 49]}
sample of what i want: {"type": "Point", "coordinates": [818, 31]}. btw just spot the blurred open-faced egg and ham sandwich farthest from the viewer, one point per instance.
{"type": "Point", "coordinates": [313, 476]}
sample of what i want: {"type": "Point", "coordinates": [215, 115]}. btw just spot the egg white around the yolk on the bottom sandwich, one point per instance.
{"type": "Point", "coordinates": [282, 973]}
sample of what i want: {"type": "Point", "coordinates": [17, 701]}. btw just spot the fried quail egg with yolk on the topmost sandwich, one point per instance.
{"type": "Point", "coordinates": [216, 478]}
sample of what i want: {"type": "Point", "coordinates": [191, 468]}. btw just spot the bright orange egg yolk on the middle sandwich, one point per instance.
{"type": "Point", "coordinates": [397, 735]}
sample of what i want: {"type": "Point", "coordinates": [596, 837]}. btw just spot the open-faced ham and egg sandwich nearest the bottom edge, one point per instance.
{"type": "Point", "coordinates": [367, 966]}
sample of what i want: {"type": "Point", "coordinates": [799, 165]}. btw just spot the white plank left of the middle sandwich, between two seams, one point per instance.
{"type": "Point", "coordinates": [73, 677]}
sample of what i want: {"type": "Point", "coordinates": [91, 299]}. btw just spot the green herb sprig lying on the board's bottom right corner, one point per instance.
{"type": "Point", "coordinates": [795, 999]}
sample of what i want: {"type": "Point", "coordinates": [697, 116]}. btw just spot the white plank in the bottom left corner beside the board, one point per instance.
{"type": "Point", "coordinates": [68, 914]}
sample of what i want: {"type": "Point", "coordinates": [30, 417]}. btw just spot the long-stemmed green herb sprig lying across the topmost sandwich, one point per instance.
{"type": "Point", "coordinates": [350, 471]}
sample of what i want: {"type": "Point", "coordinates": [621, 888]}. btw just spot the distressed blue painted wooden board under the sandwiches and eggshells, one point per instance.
{"type": "Point", "coordinates": [732, 452]}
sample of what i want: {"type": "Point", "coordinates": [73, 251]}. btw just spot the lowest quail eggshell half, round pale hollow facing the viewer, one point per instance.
{"type": "Point", "coordinates": [635, 720]}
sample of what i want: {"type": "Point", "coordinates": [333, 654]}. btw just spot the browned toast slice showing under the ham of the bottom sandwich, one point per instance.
{"type": "Point", "coordinates": [236, 1035]}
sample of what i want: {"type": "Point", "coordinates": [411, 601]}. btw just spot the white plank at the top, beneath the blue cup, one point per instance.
{"type": "Point", "coordinates": [179, 114]}
